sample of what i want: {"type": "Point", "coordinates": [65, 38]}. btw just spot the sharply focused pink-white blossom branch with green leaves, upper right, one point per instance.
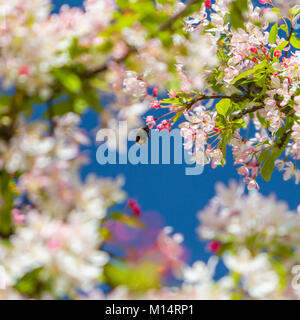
{"type": "Point", "coordinates": [253, 75]}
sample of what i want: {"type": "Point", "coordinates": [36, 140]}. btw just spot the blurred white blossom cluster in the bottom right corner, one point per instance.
{"type": "Point", "coordinates": [257, 239]}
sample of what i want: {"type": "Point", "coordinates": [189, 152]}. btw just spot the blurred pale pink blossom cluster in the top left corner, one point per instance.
{"type": "Point", "coordinates": [33, 42]}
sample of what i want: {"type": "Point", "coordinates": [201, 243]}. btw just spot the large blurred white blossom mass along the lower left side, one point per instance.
{"type": "Point", "coordinates": [56, 217]}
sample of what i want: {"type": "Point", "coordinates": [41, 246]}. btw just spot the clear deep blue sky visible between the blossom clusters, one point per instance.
{"type": "Point", "coordinates": [177, 197]}
